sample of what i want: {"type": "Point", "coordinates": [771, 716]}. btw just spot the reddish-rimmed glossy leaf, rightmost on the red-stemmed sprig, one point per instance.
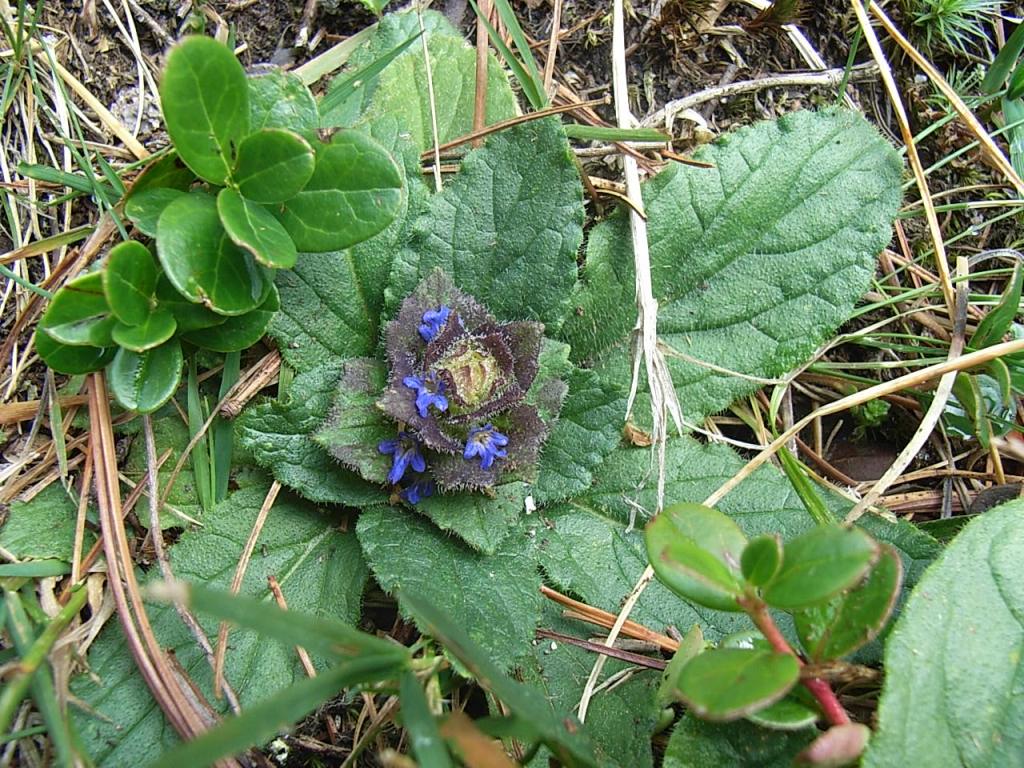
{"type": "Point", "coordinates": [856, 618]}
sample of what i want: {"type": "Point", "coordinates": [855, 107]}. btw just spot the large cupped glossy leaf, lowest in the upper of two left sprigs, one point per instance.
{"type": "Point", "coordinates": [202, 263]}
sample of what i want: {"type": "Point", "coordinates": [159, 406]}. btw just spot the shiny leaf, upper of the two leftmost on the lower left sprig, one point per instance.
{"type": "Point", "coordinates": [79, 315]}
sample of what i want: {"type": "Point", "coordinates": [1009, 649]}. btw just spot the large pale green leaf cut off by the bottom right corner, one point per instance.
{"type": "Point", "coordinates": [952, 696]}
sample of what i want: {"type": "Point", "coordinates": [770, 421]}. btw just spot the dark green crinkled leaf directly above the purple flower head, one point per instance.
{"type": "Point", "coordinates": [507, 229]}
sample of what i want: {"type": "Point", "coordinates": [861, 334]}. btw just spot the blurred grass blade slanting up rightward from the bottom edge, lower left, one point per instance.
{"type": "Point", "coordinates": [264, 721]}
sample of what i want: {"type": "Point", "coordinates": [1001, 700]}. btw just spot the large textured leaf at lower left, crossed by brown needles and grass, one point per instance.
{"type": "Point", "coordinates": [321, 572]}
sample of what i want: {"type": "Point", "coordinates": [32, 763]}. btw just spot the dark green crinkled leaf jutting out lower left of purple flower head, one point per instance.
{"type": "Point", "coordinates": [279, 434]}
